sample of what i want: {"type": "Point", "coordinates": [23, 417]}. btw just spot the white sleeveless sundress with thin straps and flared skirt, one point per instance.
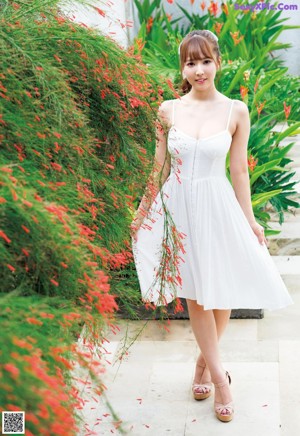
{"type": "Point", "coordinates": [225, 266]}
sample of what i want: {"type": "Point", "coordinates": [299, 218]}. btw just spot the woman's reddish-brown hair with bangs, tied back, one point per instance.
{"type": "Point", "coordinates": [197, 44]}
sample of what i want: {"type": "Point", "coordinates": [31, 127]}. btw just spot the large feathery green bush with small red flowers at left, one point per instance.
{"type": "Point", "coordinates": [76, 121]}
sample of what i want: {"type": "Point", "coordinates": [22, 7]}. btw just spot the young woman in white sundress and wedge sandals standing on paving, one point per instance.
{"type": "Point", "coordinates": [225, 260]}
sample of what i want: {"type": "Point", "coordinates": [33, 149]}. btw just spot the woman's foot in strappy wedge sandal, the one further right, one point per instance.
{"type": "Point", "coordinates": [223, 400]}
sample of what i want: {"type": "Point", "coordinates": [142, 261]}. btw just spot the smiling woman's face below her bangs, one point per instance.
{"type": "Point", "coordinates": [198, 69]}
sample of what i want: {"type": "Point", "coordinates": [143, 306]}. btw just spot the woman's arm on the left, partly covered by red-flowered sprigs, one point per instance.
{"type": "Point", "coordinates": [161, 165]}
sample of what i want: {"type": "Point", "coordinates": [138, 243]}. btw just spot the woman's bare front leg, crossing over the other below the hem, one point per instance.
{"type": "Point", "coordinates": [204, 326]}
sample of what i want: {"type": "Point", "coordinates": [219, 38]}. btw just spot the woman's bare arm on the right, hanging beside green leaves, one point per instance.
{"type": "Point", "coordinates": [239, 167]}
